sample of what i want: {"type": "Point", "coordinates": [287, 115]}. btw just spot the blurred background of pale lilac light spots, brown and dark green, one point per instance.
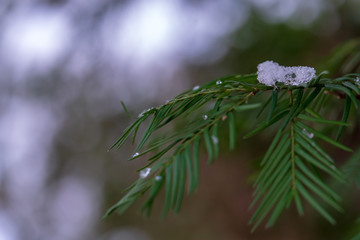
{"type": "Point", "coordinates": [65, 67]}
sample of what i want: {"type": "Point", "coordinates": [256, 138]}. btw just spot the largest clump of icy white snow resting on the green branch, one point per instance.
{"type": "Point", "coordinates": [269, 73]}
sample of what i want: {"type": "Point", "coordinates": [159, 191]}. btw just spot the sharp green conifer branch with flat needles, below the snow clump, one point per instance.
{"type": "Point", "coordinates": [294, 167]}
